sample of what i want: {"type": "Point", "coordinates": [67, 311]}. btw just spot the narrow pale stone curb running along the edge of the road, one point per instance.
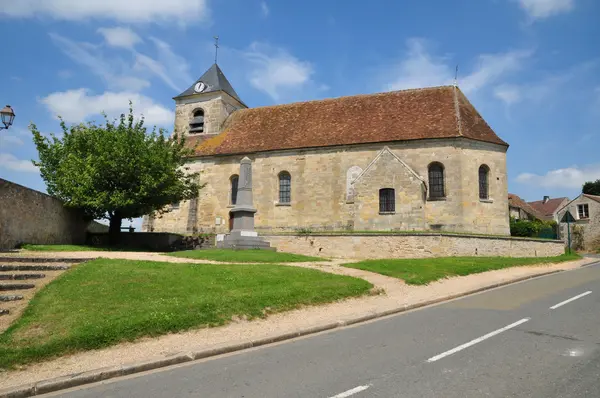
{"type": "Point", "coordinates": [93, 376]}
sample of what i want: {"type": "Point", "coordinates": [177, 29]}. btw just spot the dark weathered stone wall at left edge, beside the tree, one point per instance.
{"type": "Point", "coordinates": [29, 216]}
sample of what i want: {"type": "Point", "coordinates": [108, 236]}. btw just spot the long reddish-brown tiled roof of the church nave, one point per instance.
{"type": "Point", "coordinates": [428, 113]}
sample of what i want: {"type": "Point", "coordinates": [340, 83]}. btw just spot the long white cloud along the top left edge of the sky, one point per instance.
{"type": "Point", "coordinates": [179, 11]}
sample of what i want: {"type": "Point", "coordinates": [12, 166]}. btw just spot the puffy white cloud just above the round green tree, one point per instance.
{"type": "Point", "coordinates": [76, 106]}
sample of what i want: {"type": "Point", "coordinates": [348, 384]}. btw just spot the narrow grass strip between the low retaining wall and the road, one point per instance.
{"type": "Point", "coordinates": [424, 270]}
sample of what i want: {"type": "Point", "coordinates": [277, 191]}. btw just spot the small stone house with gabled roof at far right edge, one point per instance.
{"type": "Point", "coordinates": [585, 209]}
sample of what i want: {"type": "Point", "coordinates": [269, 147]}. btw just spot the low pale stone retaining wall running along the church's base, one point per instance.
{"type": "Point", "coordinates": [380, 246]}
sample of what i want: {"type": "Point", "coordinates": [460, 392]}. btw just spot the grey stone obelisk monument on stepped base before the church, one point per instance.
{"type": "Point", "coordinates": [243, 235]}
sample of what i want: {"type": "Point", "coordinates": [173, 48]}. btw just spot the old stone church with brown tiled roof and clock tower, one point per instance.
{"type": "Point", "coordinates": [412, 160]}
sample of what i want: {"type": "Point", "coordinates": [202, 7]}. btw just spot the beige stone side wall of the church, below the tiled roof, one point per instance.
{"type": "Point", "coordinates": [323, 200]}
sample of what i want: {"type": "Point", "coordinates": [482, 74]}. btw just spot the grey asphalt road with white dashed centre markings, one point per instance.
{"type": "Point", "coordinates": [503, 343]}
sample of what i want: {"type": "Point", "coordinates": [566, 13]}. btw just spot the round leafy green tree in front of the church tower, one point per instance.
{"type": "Point", "coordinates": [117, 170]}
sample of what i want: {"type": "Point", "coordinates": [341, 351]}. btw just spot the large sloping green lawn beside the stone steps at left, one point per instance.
{"type": "Point", "coordinates": [103, 302]}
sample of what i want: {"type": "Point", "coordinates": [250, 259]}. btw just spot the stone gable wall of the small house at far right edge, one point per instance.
{"type": "Point", "coordinates": [590, 226]}
